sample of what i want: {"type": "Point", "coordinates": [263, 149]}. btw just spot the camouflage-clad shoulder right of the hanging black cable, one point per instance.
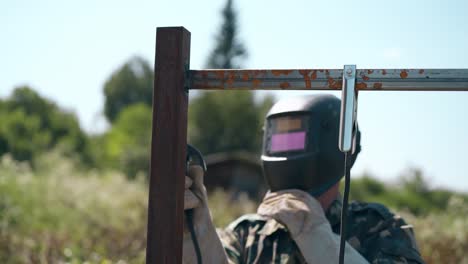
{"type": "Point", "coordinates": [382, 235]}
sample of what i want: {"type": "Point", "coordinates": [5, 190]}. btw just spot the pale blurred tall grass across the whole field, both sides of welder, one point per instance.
{"type": "Point", "coordinates": [59, 213]}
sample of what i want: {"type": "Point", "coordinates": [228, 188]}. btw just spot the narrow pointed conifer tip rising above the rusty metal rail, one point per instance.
{"type": "Point", "coordinates": [228, 51]}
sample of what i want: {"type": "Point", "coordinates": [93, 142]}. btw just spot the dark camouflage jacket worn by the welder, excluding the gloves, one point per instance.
{"type": "Point", "coordinates": [376, 233]}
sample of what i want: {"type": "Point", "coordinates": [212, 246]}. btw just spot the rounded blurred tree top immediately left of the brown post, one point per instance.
{"type": "Point", "coordinates": [131, 83]}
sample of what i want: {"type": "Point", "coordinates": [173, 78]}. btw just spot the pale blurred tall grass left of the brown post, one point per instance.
{"type": "Point", "coordinates": [60, 215]}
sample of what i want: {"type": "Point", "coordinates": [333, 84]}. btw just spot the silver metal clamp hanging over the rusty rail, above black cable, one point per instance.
{"type": "Point", "coordinates": [348, 110]}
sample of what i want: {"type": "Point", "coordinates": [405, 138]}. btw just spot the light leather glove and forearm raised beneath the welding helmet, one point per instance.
{"type": "Point", "coordinates": [308, 226]}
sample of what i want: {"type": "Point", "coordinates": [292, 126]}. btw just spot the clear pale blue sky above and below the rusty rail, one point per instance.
{"type": "Point", "coordinates": [67, 49]}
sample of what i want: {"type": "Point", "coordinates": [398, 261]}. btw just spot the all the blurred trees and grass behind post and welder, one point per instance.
{"type": "Point", "coordinates": [67, 196]}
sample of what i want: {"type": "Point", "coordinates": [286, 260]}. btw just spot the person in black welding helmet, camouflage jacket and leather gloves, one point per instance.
{"type": "Point", "coordinates": [299, 218]}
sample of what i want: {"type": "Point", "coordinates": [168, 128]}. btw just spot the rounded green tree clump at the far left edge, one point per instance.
{"type": "Point", "coordinates": [32, 124]}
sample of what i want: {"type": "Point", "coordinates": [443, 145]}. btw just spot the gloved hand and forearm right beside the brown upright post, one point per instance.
{"type": "Point", "coordinates": [196, 199]}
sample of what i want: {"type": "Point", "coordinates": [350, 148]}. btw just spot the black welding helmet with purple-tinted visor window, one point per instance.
{"type": "Point", "coordinates": [300, 144]}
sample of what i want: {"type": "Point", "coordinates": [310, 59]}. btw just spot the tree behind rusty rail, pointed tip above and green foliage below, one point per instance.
{"type": "Point", "coordinates": [227, 120]}
